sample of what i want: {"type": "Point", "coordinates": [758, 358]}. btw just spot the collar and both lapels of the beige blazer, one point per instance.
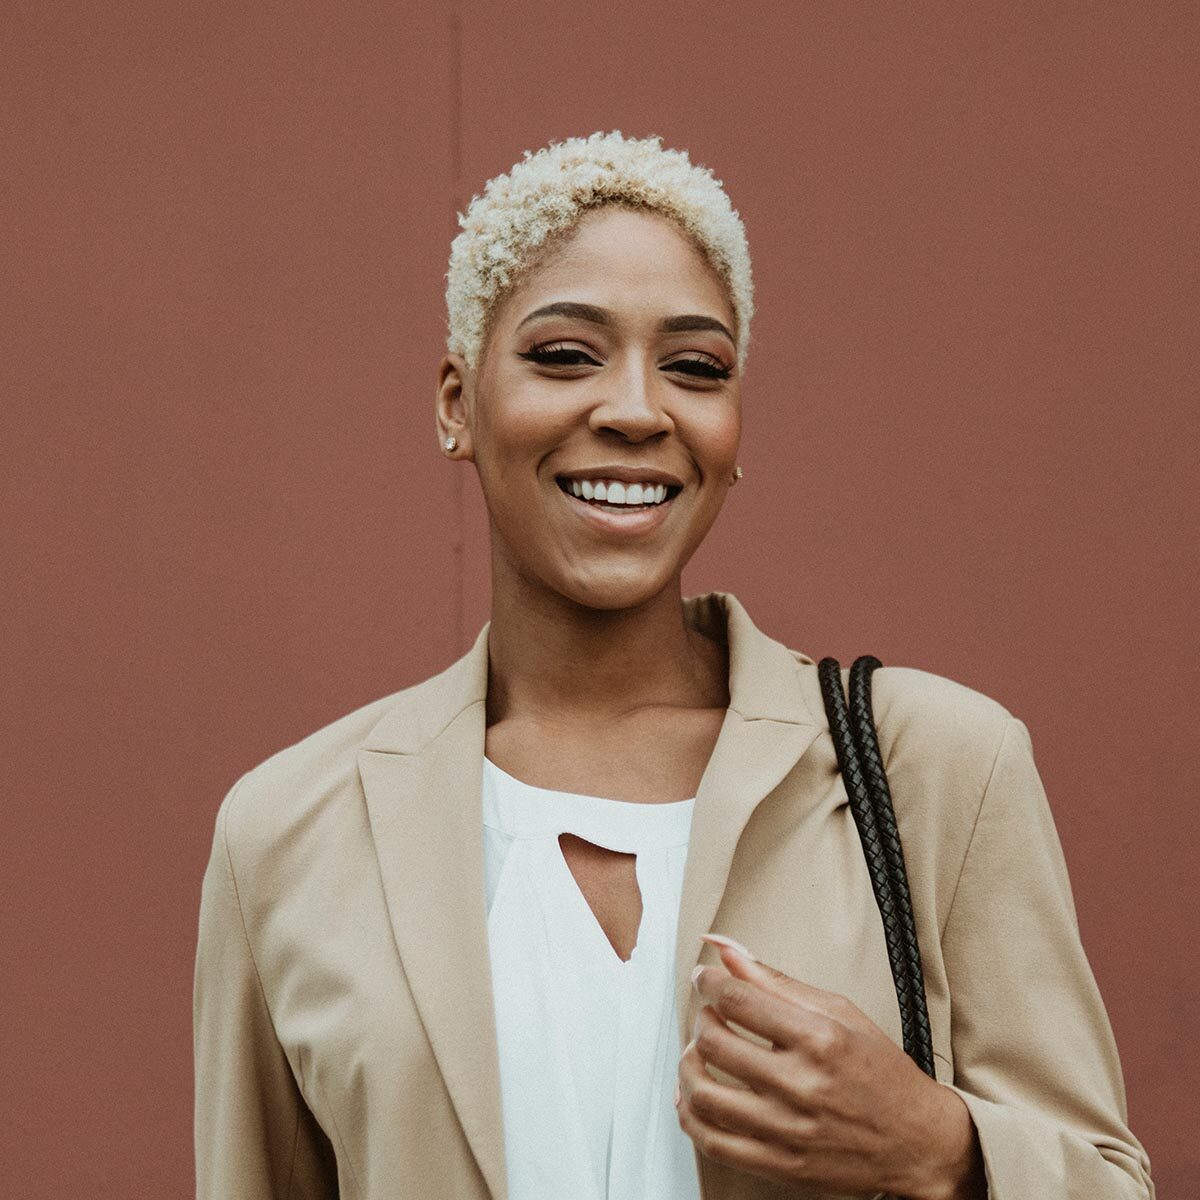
{"type": "Point", "coordinates": [422, 771]}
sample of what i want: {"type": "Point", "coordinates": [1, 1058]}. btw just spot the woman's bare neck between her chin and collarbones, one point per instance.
{"type": "Point", "coordinates": [562, 663]}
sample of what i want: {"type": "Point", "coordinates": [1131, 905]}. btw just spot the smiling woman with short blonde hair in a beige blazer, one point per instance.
{"type": "Point", "coordinates": [459, 944]}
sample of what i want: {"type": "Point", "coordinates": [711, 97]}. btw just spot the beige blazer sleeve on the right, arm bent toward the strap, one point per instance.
{"type": "Point", "coordinates": [1035, 1058]}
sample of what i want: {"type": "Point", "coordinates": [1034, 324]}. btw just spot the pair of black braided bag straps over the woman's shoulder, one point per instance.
{"type": "Point", "coordinates": [871, 802]}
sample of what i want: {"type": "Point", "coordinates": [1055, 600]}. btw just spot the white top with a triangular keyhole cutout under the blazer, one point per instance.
{"type": "Point", "coordinates": [590, 1045]}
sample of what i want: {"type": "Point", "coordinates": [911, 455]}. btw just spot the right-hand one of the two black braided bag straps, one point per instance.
{"type": "Point", "coordinates": [917, 1035]}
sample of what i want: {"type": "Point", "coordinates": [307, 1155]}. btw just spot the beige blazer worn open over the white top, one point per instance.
{"type": "Point", "coordinates": [344, 1031]}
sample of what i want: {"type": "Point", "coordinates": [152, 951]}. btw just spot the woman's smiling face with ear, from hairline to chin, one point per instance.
{"type": "Point", "coordinates": [611, 362]}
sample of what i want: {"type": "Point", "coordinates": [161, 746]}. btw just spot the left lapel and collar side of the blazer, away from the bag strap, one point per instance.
{"type": "Point", "coordinates": [423, 773]}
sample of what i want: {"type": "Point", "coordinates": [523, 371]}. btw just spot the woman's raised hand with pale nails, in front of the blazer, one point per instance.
{"type": "Point", "coordinates": [833, 1102]}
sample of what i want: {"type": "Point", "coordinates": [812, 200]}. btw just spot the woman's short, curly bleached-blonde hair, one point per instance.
{"type": "Point", "coordinates": [548, 193]}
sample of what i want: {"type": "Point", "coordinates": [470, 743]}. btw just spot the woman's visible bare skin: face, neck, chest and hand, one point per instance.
{"type": "Point", "coordinates": [597, 685]}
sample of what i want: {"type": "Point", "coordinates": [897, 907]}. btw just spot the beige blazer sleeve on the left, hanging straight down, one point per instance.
{"type": "Point", "coordinates": [256, 1138]}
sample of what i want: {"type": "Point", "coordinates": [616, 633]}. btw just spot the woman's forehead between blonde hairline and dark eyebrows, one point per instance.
{"type": "Point", "coordinates": [626, 260]}
